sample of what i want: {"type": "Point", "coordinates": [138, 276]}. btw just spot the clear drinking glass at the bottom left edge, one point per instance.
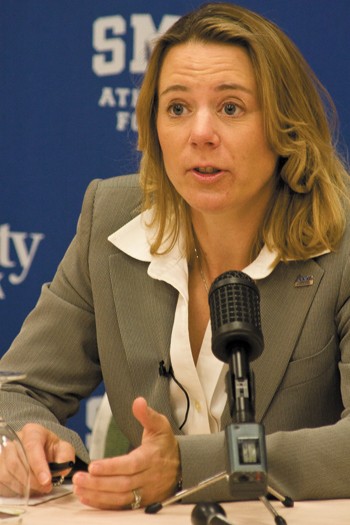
{"type": "Point", "coordinates": [14, 467]}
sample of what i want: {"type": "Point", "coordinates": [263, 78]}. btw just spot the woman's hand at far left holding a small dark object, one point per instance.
{"type": "Point", "coordinates": [43, 446]}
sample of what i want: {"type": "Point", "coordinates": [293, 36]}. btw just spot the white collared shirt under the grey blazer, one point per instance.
{"type": "Point", "coordinates": [205, 381]}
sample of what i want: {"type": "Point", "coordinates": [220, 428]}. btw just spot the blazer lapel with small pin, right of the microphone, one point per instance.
{"type": "Point", "coordinates": [286, 296]}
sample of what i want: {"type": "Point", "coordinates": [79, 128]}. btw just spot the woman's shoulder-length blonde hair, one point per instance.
{"type": "Point", "coordinates": [307, 214]}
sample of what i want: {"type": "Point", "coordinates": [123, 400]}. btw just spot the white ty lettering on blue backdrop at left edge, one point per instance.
{"type": "Point", "coordinates": [17, 252]}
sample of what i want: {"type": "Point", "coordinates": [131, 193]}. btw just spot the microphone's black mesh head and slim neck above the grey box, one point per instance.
{"type": "Point", "coordinates": [234, 303]}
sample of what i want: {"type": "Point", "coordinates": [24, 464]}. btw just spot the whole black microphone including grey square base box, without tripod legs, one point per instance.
{"type": "Point", "coordinates": [234, 303]}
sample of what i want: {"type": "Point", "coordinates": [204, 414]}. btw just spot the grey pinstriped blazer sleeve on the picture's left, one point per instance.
{"type": "Point", "coordinates": [57, 348]}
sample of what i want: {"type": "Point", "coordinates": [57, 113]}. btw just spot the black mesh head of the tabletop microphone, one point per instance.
{"type": "Point", "coordinates": [234, 302]}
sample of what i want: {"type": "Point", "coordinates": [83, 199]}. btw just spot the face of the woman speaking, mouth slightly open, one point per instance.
{"type": "Point", "coordinates": [211, 132]}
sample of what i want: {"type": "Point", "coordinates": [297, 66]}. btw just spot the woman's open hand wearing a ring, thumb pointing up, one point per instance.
{"type": "Point", "coordinates": [152, 469]}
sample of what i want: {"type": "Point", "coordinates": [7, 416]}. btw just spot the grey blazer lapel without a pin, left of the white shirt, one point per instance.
{"type": "Point", "coordinates": [145, 310]}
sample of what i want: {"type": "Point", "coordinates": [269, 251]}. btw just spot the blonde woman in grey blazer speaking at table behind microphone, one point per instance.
{"type": "Point", "coordinates": [238, 172]}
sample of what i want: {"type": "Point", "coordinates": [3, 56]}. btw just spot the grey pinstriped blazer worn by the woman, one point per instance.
{"type": "Point", "coordinates": [103, 317]}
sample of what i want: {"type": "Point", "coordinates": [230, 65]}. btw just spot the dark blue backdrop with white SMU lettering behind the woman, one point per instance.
{"type": "Point", "coordinates": [70, 72]}
